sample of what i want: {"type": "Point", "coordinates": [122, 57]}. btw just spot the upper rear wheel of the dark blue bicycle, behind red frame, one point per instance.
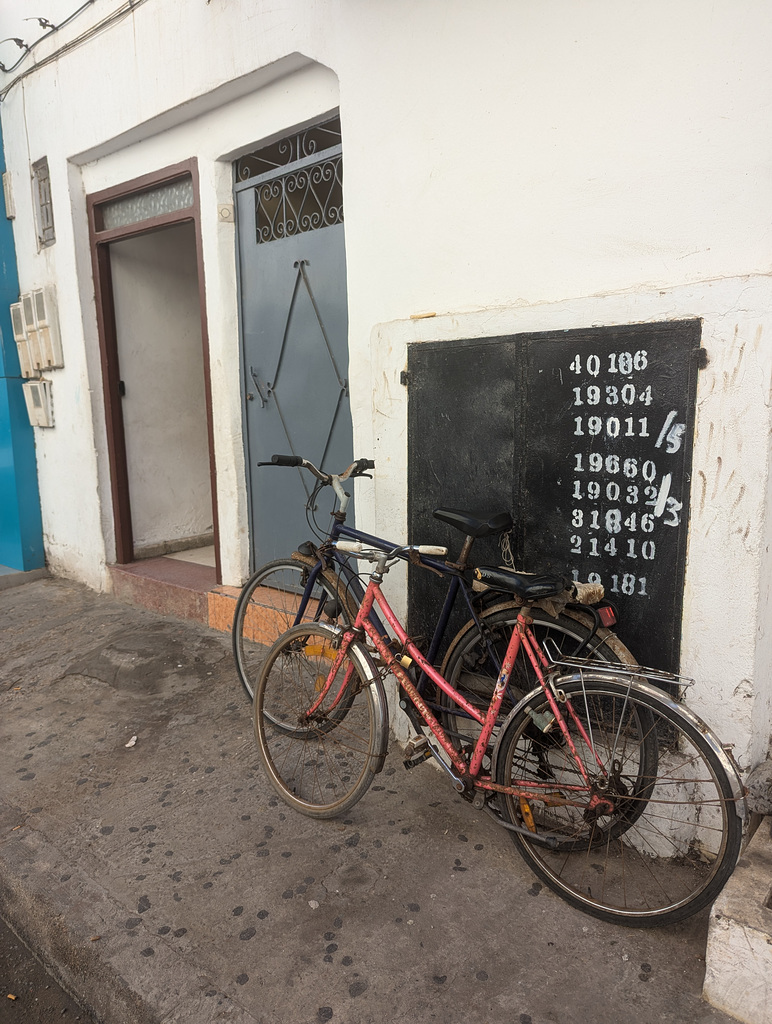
{"type": "Point", "coordinates": [468, 667]}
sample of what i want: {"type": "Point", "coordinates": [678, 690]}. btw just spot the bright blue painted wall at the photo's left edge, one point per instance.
{"type": "Point", "coordinates": [21, 528]}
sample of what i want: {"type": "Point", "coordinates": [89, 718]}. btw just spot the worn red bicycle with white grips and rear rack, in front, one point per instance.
{"type": "Point", "coordinates": [617, 795]}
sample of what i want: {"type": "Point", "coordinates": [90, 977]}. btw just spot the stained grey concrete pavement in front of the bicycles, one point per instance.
{"type": "Point", "coordinates": [164, 882]}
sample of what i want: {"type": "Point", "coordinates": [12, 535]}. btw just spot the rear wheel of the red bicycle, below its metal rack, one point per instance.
{"type": "Point", "coordinates": [657, 867]}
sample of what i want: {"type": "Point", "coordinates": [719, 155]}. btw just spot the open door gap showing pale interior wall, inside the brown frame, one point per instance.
{"type": "Point", "coordinates": [158, 331]}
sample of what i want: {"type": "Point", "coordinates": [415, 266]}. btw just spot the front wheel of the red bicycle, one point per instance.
{"type": "Point", "coordinates": [323, 766]}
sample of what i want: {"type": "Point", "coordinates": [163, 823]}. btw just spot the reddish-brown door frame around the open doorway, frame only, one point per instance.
{"type": "Point", "coordinates": [100, 242]}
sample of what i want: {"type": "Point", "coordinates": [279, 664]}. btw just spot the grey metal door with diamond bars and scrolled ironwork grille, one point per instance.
{"type": "Point", "coordinates": [294, 334]}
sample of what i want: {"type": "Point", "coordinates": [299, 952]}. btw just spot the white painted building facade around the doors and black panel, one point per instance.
{"type": "Point", "coordinates": [509, 166]}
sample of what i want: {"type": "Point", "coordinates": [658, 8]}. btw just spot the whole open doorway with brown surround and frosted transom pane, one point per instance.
{"type": "Point", "coordinates": [148, 268]}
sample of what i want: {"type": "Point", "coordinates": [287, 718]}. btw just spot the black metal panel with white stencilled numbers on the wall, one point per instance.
{"type": "Point", "coordinates": [587, 438]}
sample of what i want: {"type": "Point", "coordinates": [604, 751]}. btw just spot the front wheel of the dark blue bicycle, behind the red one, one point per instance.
{"type": "Point", "coordinates": [268, 608]}
